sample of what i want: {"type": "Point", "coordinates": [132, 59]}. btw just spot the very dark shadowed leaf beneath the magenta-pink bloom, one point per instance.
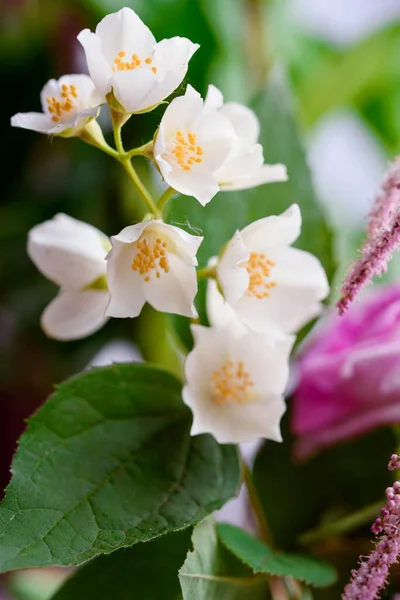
{"type": "Point", "coordinates": [305, 498]}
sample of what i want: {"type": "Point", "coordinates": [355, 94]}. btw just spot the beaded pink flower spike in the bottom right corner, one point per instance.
{"type": "Point", "coordinates": [371, 577]}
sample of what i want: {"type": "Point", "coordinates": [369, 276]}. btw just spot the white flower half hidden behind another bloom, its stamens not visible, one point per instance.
{"type": "Point", "coordinates": [244, 167]}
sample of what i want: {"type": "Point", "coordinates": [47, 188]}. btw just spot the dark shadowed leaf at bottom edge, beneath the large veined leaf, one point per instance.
{"type": "Point", "coordinates": [144, 572]}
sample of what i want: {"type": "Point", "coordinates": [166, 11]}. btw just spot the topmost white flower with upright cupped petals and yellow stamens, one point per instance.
{"type": "Point", "coordinates": [124, 56]}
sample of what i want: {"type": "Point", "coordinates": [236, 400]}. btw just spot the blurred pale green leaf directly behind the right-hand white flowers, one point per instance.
{"type": "Point", "coordinates": [229, 211]}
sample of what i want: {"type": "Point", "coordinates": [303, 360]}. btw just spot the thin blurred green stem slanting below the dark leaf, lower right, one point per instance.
{"type": "Point", "coordinates": [344, 525]}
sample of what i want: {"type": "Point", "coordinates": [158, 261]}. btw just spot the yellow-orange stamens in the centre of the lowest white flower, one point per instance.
{"type": "Point", "coordinates": [231, 383]}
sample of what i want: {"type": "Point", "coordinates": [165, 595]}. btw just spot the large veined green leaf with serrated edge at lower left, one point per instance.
{"type": "Point", "coordinates": [107, 462]}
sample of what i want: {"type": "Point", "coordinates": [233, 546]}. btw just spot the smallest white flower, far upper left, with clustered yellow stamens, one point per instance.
{"type": "Point", "coordinates": [68, 104]}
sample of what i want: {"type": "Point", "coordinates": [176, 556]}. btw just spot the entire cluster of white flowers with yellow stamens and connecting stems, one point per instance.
{"type": "Point", "coordinates": [261, 290]}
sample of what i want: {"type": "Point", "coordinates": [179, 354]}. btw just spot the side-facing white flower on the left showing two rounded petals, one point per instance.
{"type": "Point", "coordinates": [72, 255]}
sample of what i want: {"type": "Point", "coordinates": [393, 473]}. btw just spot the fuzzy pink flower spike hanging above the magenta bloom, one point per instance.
{"type": "Point", "coordinates": [382, 241]}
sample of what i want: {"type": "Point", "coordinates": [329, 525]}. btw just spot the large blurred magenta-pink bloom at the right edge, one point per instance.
{"type": "Point", "coordinates": [349, 375]}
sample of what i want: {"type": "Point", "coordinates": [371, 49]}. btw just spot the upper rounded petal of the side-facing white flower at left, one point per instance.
{"type": "Point", "coordinates": [67, 251]}
